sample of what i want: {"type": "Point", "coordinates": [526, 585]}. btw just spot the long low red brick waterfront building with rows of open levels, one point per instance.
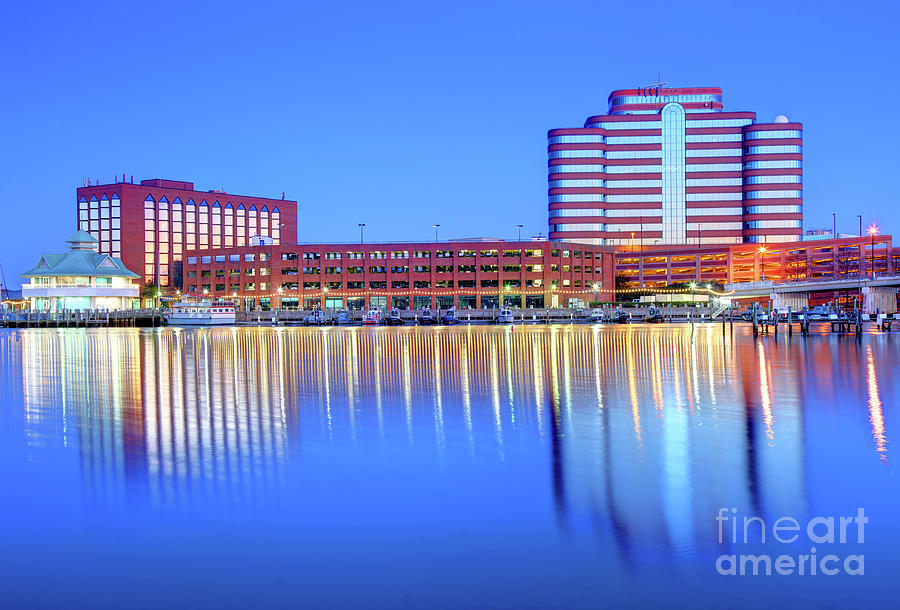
{"type": "Point", "coordinates": [462, 273]}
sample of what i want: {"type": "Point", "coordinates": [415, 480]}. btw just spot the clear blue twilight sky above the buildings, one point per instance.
{"type": "Point", "coordinates": [402, 115]}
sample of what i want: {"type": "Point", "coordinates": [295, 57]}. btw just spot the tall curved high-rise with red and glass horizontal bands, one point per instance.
{"type": "Point", "coordinates": [670, 166]}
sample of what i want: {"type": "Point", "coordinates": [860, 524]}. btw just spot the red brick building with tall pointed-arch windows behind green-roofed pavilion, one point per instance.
{"type": "Point", "coordinates": [152, 224]}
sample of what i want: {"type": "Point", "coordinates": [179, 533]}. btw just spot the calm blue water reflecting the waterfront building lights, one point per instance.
{"type": "Point", "coordinates": [479, 467]}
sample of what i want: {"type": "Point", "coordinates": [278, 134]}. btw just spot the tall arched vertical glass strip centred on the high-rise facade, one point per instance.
{"type": "Point", "coordinates": [673, 182]}
